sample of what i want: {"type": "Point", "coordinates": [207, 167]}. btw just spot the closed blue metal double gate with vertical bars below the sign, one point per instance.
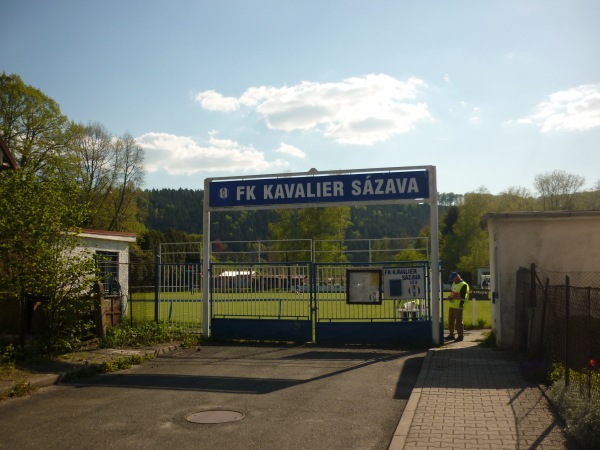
{"type": "Point", "coordinates": [308, 302]}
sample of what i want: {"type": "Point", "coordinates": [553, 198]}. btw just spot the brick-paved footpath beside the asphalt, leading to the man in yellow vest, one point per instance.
{"type": "Point", "coordinates": [470, 397]}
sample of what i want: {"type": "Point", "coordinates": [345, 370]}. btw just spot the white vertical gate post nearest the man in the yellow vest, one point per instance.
{"type": "Point", "coordinates": [435, 257]}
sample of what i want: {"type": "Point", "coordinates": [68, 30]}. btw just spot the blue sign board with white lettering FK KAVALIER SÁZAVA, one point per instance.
{"type": "Point", "coordinates": [338, 188]}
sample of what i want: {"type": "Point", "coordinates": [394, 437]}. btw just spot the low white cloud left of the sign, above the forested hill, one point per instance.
{"type": "Point", "coordinates": [181, 155]}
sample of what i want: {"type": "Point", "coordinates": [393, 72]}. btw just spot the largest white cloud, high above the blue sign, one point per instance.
{"type": "Point", "coordinates": [358, 110]}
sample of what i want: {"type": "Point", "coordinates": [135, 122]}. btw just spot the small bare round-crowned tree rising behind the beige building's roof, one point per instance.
{"type": "Point", "coordinates": [557, 189]}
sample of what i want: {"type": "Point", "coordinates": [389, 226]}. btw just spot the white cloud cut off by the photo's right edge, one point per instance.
{"type": "Point", "coordinates": [575, 109]}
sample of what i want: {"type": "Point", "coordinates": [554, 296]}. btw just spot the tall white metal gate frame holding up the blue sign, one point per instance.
{"type": "Point", "coordinates": [330, 201]}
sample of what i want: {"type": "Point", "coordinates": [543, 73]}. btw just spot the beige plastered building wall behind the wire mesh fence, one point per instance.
{"type": "Point", "coordinates": [561, 241]}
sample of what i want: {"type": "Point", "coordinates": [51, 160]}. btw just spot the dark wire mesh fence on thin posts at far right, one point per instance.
{"type": "Point", "coordinates": [564, 325]}
